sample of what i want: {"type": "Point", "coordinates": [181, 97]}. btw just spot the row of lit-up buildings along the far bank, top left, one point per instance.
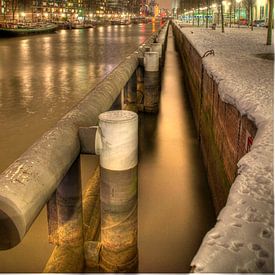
{"type": "Point", "coordinates": [36, 10]}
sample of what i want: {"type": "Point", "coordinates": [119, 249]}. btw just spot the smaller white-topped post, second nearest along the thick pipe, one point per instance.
{"type": "Point", "coordinates": [151, 82]}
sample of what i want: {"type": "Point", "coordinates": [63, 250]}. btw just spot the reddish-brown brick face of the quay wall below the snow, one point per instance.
{"type": "Point", "coordinates": [225, 135]}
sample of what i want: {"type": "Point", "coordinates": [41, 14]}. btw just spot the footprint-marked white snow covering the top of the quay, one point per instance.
{"type": "Point", "coordinates": [243, 237]}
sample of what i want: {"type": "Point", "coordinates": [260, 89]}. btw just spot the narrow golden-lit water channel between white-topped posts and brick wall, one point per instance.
{"type": "Point", "coordinates": [174, 205]}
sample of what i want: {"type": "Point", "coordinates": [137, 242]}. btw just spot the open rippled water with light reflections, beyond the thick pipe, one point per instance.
{"type": "Point", "coordinates": [42, 77]}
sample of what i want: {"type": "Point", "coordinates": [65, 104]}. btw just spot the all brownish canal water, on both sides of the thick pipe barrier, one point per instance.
{"type": "Point", "coordinates": [43, 77]}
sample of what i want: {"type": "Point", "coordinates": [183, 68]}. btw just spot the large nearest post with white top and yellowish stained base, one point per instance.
{"type": "Point", "coordinates": [118, 194]}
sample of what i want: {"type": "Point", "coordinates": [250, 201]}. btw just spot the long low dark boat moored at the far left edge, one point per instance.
{"type": "Point", "coordinates": [11, 30]}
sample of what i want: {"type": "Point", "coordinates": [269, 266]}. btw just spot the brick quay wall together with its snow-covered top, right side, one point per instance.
{"type": "Point", "coordinates": [229, 80]}
